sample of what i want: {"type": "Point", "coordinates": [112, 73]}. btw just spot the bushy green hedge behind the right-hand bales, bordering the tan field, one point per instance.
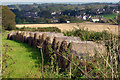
{"type": "Point", "coordinates": [88, 35]}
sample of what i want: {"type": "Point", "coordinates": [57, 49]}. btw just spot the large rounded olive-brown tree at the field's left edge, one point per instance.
{"type": "Point", "coordinates": [8, 19]}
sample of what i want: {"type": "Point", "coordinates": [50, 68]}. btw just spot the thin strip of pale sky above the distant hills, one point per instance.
{"type": "Point", "coordinates": [60, 0]}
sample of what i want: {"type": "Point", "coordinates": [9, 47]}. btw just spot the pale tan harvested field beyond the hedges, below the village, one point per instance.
{"type": "Point", "coordinates": [98, 27]}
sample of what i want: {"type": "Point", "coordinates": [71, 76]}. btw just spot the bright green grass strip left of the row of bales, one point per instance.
{"type": "Point", "coordinates": [22, 61]}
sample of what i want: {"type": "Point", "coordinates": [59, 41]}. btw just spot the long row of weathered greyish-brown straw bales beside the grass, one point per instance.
{"type": "Point", "coordinates": [59, 43]}
